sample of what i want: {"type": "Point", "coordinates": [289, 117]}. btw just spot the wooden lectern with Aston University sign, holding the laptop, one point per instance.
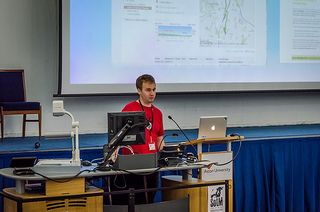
{"type": "Point", "coordinates": [200, 196]}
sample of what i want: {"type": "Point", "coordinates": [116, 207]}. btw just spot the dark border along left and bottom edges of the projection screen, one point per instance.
{"type": "Point", "coordinates": [215, 88]}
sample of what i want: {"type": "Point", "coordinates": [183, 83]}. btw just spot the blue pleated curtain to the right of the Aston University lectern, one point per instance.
{"type": "Point", "coordinates": [277, 175]}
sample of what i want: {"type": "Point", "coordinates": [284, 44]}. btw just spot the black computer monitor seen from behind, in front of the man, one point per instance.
{"type": "Point", "coordinates": [135, 135]}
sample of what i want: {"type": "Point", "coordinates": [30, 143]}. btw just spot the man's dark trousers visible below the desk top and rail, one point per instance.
{"type": "Point", "coordinates": [126, 181]}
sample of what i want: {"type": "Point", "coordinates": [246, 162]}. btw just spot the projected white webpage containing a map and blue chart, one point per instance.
{"type": "Point", "coordinates": [188, 32]}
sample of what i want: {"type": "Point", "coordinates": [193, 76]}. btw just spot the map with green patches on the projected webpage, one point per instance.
{"type": "Point", "coordinates": [227, 23]}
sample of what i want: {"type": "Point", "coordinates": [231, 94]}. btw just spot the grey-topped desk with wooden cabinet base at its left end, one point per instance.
{"type": "Point", "coordinates": [76, 186]}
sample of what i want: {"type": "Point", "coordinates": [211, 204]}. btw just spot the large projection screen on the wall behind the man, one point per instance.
{"type": "Point", "coordinates": [189, 45]}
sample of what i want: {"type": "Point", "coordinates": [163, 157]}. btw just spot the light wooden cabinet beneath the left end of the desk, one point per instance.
{"type": "Point", "coordinates": [54, 189]}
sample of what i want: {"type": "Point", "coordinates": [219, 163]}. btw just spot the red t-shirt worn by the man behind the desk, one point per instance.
{"type": "Point", "coordinates": [156, 131]}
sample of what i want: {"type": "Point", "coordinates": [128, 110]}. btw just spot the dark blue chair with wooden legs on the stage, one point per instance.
{"type": "Point", "coordinates": [13, 99]}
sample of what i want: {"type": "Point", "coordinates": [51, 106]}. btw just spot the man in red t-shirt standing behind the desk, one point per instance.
{"type": "Point", "coordinates": [146, 88]}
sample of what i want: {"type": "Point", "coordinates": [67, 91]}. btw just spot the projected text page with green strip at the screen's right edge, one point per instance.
{"type": "Point", "coordinates": [299, 31]}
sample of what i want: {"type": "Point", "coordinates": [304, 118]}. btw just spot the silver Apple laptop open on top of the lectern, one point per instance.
{"type": "Point", "coordinates": [212, 127]}
